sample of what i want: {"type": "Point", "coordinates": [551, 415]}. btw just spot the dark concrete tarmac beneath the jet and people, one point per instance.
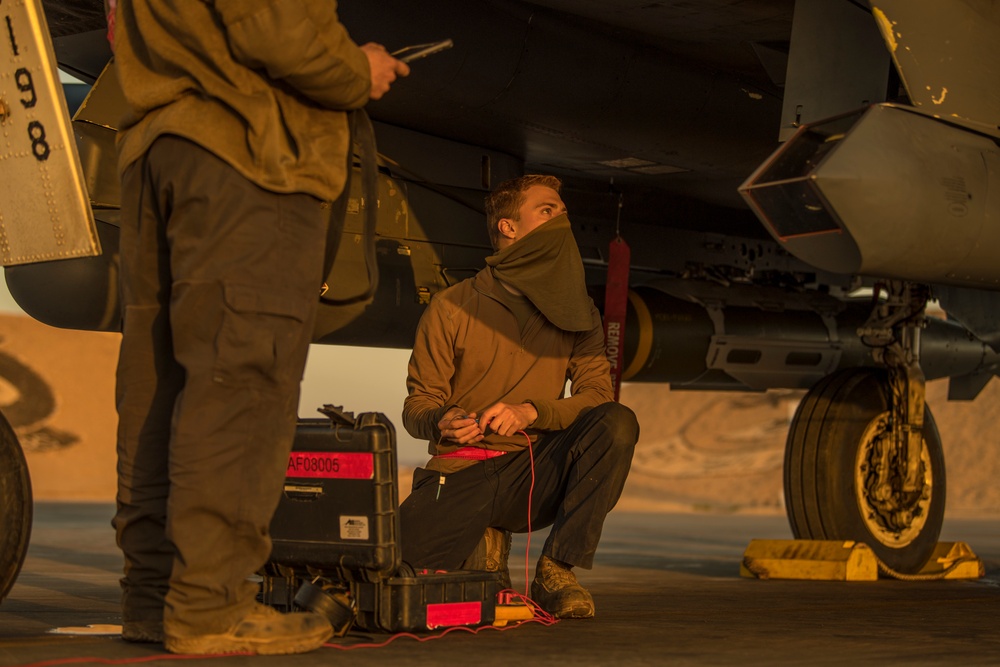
{"type": "Point", "coordinates": [666, 586]}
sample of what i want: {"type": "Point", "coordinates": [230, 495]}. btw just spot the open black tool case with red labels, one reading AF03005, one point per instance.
{"type": "Point", "coordinates": [337, 529]}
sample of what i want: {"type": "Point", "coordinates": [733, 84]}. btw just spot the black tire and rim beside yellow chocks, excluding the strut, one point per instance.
{"type": "Point", "coordinates": [828, 460]}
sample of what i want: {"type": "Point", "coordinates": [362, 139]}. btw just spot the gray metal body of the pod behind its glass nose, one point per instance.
{"type": "Point", "coordinates": [912, 192]}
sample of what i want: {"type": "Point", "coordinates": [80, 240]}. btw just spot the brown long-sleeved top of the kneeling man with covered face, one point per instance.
{"type": "Point", "coordinates": [469, 353]}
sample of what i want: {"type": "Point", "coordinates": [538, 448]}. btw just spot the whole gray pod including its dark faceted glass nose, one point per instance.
{"type": "Point", "coordinates": [913, 194]}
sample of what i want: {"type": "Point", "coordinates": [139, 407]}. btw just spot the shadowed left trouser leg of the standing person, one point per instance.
{"type": "Point", "coordinates": [148, 381]}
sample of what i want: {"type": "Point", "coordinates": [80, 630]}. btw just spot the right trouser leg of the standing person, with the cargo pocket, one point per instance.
{"type": "Point", "coordinates": [245, 268]}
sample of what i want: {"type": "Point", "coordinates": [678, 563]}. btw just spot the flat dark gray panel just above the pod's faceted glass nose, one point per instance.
{"type": "Point", "coordinates": [837, 62]}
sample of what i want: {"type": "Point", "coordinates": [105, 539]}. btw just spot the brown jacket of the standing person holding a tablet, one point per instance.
{"type": "Point", "coordinates": [262, 84]}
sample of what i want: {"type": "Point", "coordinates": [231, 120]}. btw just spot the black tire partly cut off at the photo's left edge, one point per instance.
{"type": "Point", "coordinates": [15, 510]}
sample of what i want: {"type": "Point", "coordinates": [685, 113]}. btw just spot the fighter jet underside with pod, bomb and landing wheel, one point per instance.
{"type": "Point", "coordinates": [796, 180]}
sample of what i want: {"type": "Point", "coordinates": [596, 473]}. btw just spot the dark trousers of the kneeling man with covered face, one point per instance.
{"type": "Point", "coordinates": [579, 474]}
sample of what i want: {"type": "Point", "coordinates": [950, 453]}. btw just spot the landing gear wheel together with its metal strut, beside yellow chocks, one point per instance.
{"type": "Point", "coordinates": [863, 459]}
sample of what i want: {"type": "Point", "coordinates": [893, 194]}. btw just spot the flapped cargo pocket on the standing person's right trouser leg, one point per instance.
{"type": "Point", "coordinates": [262, 337]}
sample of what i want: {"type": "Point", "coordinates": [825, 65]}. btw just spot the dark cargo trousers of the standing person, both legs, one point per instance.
{"type": "Point", "coordinates": [219, 286]}
